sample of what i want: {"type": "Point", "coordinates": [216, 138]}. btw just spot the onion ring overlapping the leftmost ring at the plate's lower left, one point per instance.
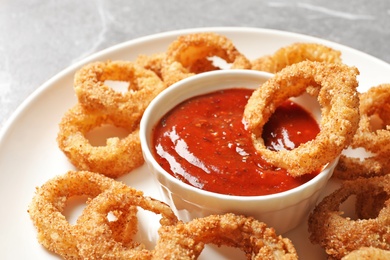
{"type": "Point", "coordinates": [95, 240]}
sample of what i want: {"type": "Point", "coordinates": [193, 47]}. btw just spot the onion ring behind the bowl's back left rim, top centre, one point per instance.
{"type": "Point", "coordinates": [196, 53]}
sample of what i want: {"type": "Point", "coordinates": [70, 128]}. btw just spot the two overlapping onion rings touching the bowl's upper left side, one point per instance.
{"type": "Point", "coordinates": [101, 105]}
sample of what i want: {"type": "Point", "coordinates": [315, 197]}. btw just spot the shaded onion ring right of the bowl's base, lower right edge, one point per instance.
{"type": "Point", "coordinates": [340, 235]}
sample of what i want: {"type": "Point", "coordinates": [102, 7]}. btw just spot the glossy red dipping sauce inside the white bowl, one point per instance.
{"type": "Point", "coordinates": [203, 143]}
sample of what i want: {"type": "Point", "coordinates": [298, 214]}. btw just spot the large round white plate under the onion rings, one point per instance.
{"type": "Point", "coordinates": [29, 155]}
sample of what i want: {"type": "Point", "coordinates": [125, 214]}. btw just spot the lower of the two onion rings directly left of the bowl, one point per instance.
{"type": "Point", "coordinates": [117, 157]}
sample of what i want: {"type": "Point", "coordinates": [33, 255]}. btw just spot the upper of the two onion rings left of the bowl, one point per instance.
{"type": "Point", "coordinates": [95, 95]}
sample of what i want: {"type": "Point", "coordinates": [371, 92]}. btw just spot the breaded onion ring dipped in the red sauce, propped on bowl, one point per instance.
{"type": "Point", "coordinates": [334, 85]}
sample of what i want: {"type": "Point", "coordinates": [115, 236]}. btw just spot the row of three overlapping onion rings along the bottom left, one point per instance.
{"type": "Point", "coordinates": [94, 236]}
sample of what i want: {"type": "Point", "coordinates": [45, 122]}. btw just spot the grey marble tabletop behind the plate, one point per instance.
{"type": "Point", "coordinates": [39, 38]}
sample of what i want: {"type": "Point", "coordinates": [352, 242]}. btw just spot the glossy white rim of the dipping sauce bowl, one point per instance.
{"type": "Point", "coordinates": [192, 80]}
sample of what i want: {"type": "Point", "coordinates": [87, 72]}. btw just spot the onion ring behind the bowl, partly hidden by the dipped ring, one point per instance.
{"type": "Point", "coordinates": [296, 53]}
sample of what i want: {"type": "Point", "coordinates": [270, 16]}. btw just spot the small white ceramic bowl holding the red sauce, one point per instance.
{"type": "Point", "coordinates": [283, 211]}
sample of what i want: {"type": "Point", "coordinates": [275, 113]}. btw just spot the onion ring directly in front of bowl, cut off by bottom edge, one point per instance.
{"type": "Point", "coordinates": [187, 240]}
